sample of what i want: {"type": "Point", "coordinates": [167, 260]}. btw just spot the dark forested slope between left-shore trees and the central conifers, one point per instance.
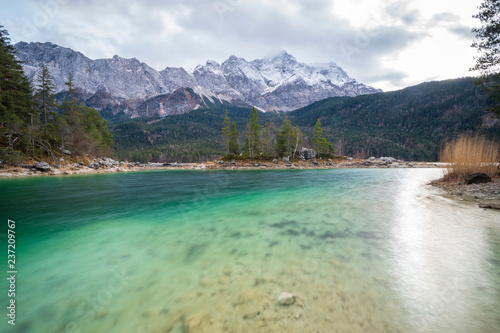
{"type": "Point", "coordinates": [195, 136]}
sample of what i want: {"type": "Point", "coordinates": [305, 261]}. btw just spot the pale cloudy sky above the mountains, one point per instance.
{"type": "Point", "coordinates": [388, 44]}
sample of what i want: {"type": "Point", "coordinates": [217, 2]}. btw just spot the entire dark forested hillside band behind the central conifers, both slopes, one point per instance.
{"type": "Point", "coordinates": [410, 124]}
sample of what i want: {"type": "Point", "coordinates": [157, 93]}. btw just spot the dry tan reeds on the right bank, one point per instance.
{"type": "Point", "coordinates": [470, 154]}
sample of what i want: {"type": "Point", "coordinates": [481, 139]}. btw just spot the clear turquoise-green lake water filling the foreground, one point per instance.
{"type": "Point", "coordinates": [181, 251]}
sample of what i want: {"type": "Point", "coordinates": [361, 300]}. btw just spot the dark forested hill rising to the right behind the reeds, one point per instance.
{"type": "Point", "coordinates": [411, 123]}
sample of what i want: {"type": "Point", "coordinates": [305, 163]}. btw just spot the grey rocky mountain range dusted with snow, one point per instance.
{"type": "Point", "coordinates": [275, 83]}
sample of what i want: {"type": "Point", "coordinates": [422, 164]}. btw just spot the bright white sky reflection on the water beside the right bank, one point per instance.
{"type": "Point", "coordinates": [440, 260]}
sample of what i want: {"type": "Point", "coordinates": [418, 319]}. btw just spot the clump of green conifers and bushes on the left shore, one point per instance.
{"type": "Point", "coordinates": [32, 124]}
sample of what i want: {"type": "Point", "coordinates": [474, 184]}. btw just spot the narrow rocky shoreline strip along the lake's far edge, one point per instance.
{"type": "Point", "coordinates": [108, 165]}
